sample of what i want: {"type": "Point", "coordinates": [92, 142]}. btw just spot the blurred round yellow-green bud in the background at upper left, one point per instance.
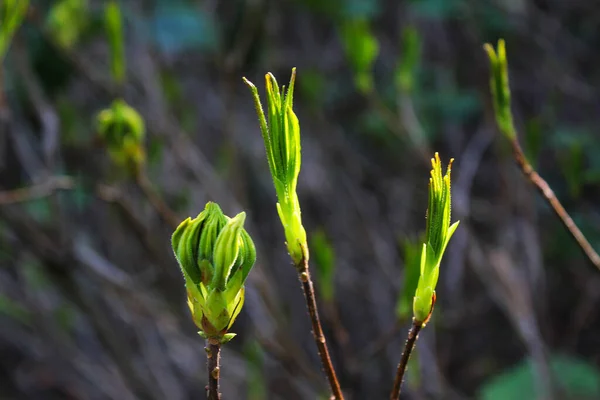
{"type": "Point", "coordinates": [122, 130]}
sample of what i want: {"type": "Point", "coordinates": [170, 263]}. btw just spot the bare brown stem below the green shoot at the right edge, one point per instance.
{"type": "Point", "coordinates": [545, 190]}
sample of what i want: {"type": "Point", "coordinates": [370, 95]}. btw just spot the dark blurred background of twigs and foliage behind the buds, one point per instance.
{"type": "Point", "coordinates": [92, 303]}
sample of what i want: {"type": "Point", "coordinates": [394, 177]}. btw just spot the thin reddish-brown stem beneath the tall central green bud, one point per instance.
{"type": "Point", "coordinates": [311, 305]}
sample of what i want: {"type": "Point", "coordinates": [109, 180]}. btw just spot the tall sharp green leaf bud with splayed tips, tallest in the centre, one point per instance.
{"type": "Point", "coordinates": [281, 135]}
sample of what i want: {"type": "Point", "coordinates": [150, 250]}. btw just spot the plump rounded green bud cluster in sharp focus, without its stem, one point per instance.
{"type": "Point", "coordinates": [215, 254]}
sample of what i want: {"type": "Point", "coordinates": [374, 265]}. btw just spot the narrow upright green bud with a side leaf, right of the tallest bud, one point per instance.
{"type": "Point", "coordinates": [438, 234]}
